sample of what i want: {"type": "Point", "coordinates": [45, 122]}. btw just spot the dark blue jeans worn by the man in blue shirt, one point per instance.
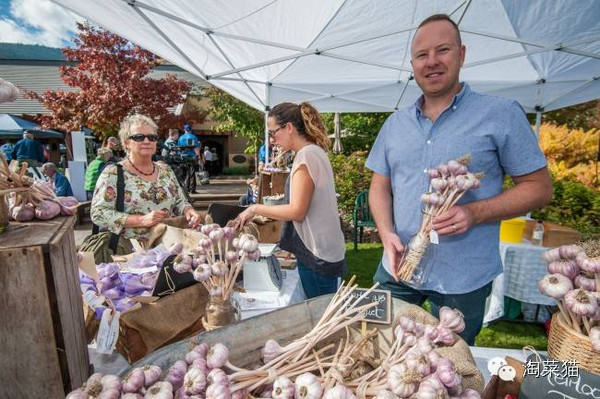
{"type": "Point", "coordinates": [471, 304]}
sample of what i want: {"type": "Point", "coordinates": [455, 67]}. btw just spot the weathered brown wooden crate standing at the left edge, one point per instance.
{"type": "Point", "coordinates": [43, 345]}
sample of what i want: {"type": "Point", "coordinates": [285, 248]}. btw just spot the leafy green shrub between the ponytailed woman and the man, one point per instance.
{"type": "Point", "coordinates": [351, 177]}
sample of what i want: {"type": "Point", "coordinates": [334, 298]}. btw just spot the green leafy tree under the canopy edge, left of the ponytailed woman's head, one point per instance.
{"type": "Point", "coordinates": [236, 116]}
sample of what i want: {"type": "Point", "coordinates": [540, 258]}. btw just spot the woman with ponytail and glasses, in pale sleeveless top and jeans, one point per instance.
{"type": "Point", "coordinates": [312, 230]}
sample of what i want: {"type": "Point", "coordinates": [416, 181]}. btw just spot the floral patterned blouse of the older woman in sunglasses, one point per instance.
{"type": "Point", "coordinates": [141, 197]}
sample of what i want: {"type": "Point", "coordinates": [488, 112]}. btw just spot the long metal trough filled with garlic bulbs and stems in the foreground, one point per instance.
{"type": "Point", "coordinates": [317, 354]}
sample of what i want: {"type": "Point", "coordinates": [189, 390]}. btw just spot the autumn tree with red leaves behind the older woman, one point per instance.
{"type": "Point", "coordinates": [110, 81]}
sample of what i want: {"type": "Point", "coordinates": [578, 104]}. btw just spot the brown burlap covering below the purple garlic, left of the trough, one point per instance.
{"type": "Point", "coordinates": [154, 325]}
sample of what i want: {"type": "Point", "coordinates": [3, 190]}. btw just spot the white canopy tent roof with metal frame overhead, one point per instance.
{"type": "Point", "coordinates": [354, 55]}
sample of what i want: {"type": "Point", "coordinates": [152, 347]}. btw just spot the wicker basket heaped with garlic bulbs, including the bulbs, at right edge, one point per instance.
{"type": "Point", "coordinates": [574, 281]}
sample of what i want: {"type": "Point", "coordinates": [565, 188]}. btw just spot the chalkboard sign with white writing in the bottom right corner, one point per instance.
{"type": "Point", "coordinates": [546, 377]}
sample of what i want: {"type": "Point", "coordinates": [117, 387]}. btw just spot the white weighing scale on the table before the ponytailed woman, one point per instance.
{"type": "Point", "coordinates": [263, 274]}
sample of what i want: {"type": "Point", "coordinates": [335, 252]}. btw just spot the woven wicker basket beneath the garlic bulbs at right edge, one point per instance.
{"type": "Point", "coordinates": [566, 344]}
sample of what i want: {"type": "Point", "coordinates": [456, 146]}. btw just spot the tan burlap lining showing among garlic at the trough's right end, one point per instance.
{"type": "Point", "coordinates": [459, 353]}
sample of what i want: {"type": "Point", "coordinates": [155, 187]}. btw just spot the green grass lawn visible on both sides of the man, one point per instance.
{"type": "Point", "coordinates": [502, 334]}
